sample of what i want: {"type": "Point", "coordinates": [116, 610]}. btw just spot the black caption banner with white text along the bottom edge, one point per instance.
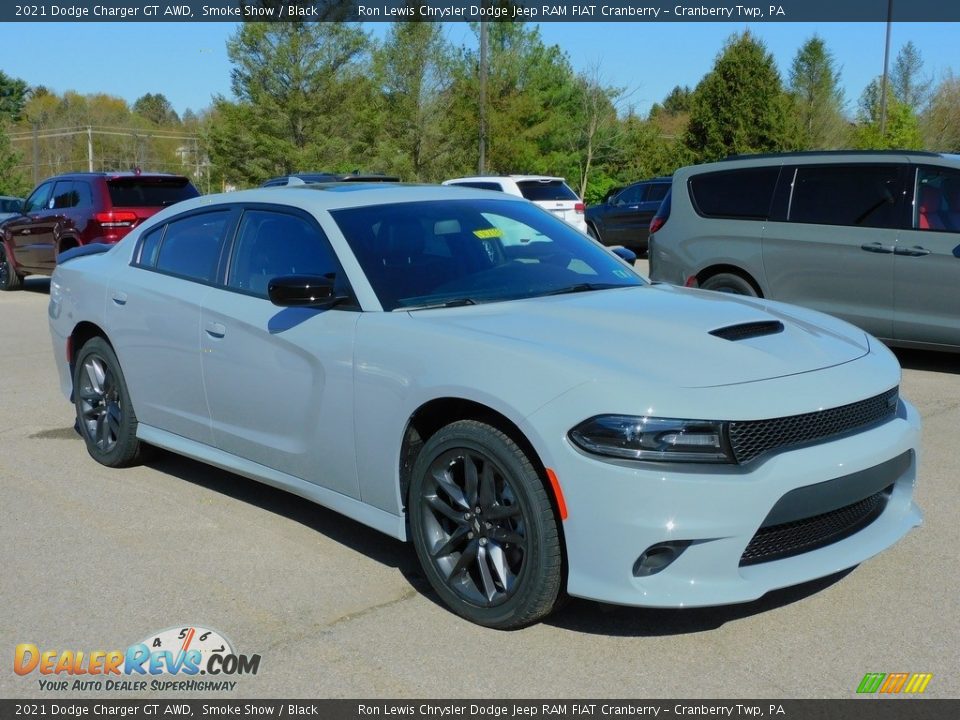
{"type": "Point", "coordinates": [856, 709]}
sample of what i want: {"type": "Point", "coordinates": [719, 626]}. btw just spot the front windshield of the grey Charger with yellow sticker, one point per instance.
{"type": "Point", "coordinates": [461, 252]}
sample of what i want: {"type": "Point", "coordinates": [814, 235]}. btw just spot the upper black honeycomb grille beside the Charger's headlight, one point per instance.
{"type": "Point", "coordinates": [752, 438]}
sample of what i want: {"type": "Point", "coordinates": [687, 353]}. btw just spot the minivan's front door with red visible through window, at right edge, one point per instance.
{"type": "Point", "coordinates": [927, 262]}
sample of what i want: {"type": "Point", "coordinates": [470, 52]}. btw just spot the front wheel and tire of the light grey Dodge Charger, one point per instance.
{"type": "Point", "coordinates": [483, 527]}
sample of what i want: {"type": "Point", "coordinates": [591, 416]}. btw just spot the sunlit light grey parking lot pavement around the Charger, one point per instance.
{"type": "Point", "coordinates": [97, 559]}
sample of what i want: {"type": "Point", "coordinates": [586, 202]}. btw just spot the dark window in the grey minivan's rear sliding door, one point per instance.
{"type": "Point", "coordinates": [851, 195]}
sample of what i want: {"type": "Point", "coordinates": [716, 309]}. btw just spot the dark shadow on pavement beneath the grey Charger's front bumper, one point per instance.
{"type": "Point", "coordinates": [595, 618]}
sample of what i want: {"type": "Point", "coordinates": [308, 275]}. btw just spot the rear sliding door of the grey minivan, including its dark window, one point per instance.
{"type": "Point", "coordinates": [831, 248]}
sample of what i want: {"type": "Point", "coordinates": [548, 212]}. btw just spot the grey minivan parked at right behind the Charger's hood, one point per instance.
{"type": "Point", "coordinates": [871, 237]}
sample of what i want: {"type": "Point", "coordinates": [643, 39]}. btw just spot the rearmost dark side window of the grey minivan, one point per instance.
{"type": "Point", "coordinates": [743, 194]}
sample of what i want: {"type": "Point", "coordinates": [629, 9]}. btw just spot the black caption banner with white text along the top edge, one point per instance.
{"type": "Point", "coordinates": [477, 10]}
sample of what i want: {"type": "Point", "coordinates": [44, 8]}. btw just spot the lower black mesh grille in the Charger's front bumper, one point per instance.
{"type": "Point", "coordinates": [780, 541]}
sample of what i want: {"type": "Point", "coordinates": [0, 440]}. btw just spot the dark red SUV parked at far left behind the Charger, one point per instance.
{"type": "Point", "coordinates": [78, 209]}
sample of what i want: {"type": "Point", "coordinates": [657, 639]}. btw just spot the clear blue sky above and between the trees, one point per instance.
{"type": "Point", "coordinates": [187, 62]}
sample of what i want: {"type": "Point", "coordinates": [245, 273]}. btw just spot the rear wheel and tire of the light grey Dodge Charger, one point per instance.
{"type": "Point", "coordinates": [105, 416]}
